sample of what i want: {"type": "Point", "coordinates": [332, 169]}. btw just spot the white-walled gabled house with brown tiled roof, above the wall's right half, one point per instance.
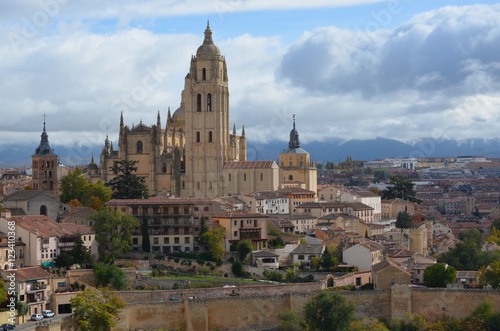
{"type": "Point", "coordinates": [363, 255]}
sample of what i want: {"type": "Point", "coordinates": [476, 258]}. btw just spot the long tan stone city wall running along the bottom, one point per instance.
{"type": "Point", "coordinates": [257, 307]}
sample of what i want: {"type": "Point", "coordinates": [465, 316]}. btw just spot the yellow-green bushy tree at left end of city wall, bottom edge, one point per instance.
{"type": "Point", "coordinates": [96, 309]}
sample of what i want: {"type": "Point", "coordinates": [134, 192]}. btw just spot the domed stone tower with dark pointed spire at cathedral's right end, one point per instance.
{"type": "Point", "coordinates": [296, 166]}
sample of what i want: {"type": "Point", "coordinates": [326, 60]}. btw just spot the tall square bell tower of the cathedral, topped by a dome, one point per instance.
{"type": "Point", "coordinates": [209, 142]}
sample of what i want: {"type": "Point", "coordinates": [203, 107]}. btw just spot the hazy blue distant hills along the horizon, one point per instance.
{"type": "Point", "coordinates": [12, 156]}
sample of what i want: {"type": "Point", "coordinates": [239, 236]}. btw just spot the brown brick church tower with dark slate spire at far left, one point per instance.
{"type": "Point", "coordinates": [44, 165]}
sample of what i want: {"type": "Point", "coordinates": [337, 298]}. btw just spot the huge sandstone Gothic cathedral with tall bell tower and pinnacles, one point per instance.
{"type": "Point", "coordinates": [196, 155]}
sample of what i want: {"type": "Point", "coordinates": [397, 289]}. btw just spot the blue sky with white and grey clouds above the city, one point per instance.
{"type": "Point", "coordinates": [347, 69]}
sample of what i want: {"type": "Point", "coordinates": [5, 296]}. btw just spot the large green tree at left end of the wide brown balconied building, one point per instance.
{"type": "Point", "coordinates": [113, 233]}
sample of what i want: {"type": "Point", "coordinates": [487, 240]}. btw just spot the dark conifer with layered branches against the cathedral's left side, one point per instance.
{"type": "Point", "coordinates": [126, 184]}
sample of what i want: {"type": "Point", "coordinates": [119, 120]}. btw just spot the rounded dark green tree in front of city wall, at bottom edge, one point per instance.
{"type": "Point", "coordinates": [328, 311]}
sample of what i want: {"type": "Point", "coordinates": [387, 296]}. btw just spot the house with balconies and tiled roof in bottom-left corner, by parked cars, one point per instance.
{"type": "Point", "coordinates": [32, 285]}
